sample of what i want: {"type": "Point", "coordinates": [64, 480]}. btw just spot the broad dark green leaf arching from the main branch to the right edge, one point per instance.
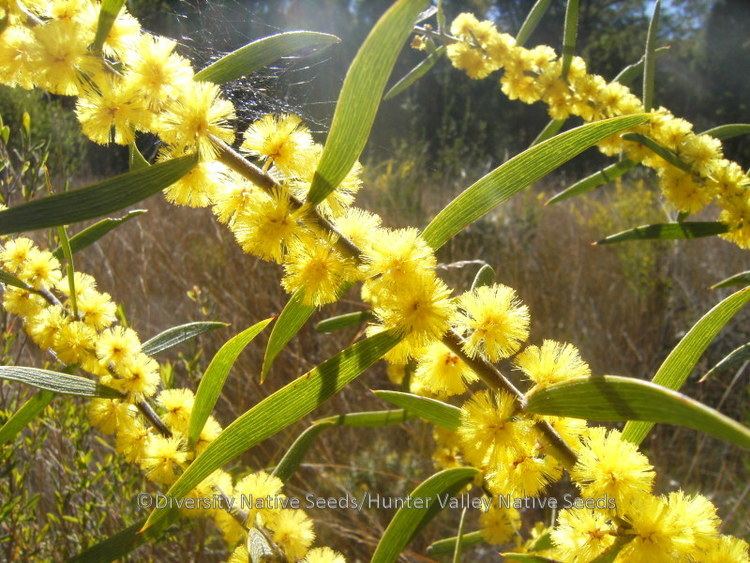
{"type": "Point", "coordinates": [611, 398]}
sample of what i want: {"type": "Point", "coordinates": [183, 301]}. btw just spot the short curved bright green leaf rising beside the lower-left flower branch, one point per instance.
{"type": "Point", "coordinates": [216, 374]}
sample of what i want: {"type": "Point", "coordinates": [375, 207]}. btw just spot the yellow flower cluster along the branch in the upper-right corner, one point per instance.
{"type": "Point", "coordinates": [536, 74]}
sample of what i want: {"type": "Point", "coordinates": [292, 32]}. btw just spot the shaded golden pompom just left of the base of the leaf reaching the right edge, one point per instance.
{"type": "Point", "coordinates": [489, 429]}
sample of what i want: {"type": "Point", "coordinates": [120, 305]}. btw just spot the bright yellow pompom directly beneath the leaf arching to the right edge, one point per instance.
{"type": "Point", "coordinates": [610, 466]}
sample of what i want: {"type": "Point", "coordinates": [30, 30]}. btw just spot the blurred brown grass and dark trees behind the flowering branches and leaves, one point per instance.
{"type": "Point", "coordinates": [625, 307]}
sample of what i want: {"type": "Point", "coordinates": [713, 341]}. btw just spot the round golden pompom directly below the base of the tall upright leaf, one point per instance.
{"type": "Point", "coordinates": [318, 269]}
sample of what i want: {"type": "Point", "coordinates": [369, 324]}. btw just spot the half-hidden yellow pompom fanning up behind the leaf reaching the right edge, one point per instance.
{"type": "Point", "coordinates": [551, 363]}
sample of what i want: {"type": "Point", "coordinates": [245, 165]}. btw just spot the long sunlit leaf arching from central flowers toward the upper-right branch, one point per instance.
{"type": "Point", "coordinates": [518, 173]}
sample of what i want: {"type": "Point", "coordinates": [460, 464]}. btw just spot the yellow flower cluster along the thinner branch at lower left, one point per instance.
{"type": "Point", "coordinates": [93, 341]}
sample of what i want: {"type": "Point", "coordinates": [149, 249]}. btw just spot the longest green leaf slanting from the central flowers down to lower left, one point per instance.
{"type": "Point", "coordinates": [282, 408]}
